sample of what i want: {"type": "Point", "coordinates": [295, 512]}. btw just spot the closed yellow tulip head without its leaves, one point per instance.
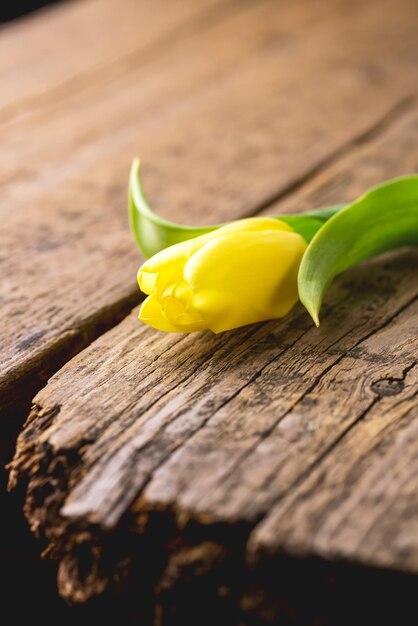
{"type": "Point", "coordinates": [239, 274]}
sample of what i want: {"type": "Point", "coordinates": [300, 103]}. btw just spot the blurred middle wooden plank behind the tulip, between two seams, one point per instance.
{"type": "Point", "coordinates": [52, 212]}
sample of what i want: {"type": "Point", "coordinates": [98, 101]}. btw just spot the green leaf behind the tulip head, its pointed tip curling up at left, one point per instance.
{"type": "Point", "coordinates": [153, 233]}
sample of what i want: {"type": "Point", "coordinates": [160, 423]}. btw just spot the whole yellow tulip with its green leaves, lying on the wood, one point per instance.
{"type": "Point", "coordinates": [223, 277]}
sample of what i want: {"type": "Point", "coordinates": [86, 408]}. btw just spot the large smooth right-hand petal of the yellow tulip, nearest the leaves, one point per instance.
{"type": "Point", "coordinates": [245, 277]}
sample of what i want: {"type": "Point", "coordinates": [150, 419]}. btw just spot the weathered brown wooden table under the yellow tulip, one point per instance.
{"type": "Point", "coordinates": [263, 475]}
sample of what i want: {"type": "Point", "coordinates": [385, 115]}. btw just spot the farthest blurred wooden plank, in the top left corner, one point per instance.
{"type": "Point", "coordinates": [67, 47]}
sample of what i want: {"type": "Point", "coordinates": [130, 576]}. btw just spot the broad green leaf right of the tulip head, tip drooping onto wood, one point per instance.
{"type": "Point", "coordinates": [383, 219]}
